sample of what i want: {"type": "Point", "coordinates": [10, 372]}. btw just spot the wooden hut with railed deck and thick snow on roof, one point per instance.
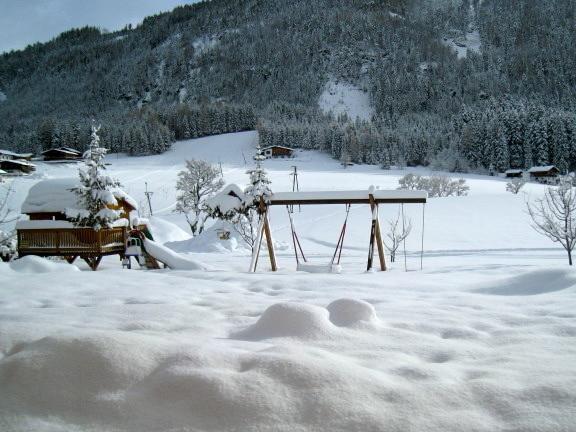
{"type": "Point", "coordinates": [50, 232]}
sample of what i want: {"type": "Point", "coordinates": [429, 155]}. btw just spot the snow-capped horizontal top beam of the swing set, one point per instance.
{"type": "Point", "coordinates": [355, 196]}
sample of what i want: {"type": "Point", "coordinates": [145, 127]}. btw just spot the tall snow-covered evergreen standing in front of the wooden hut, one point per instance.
{"type": "Point", "coordinates": [95, 192]}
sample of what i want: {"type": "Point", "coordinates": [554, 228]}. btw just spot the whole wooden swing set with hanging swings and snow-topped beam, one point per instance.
{"type": "Point", "coordinates": [373, 197]}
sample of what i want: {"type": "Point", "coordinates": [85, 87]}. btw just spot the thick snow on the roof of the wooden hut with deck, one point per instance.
{"type": "Point", "coordinates": [56, 196]}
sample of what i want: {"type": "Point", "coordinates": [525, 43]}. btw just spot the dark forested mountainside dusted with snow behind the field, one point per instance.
{"type": "Point", "coordinates": [231, 65]}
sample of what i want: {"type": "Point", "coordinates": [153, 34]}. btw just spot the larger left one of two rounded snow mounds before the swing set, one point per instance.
{"type": "Point", "coordinates": [289, 320]}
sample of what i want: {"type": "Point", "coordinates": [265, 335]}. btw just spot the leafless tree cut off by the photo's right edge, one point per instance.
{"type": "Point", "coordinates": [554, 215]}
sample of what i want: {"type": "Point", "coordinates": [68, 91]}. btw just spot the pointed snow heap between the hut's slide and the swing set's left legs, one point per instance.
{"type": "Point", "coordinates": [210, 241]}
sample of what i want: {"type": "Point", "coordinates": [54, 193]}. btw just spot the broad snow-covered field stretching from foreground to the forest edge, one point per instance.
{"type": "Point", "coordinates": [481, 339]}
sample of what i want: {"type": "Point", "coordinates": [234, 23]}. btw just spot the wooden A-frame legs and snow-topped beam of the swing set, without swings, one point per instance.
{"type": "Point", "coordinates": [372, 197]}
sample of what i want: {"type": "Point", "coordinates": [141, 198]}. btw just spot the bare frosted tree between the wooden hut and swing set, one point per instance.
{"type": "Point", "coordinates": [197, 182]}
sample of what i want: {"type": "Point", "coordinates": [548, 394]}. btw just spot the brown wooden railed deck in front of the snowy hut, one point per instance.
{"type": "Point", "coordinates": [72, 243]}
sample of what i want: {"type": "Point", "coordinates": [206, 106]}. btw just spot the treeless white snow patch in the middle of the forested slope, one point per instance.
{"type": "Point", "coordinates": [345, 98]}
